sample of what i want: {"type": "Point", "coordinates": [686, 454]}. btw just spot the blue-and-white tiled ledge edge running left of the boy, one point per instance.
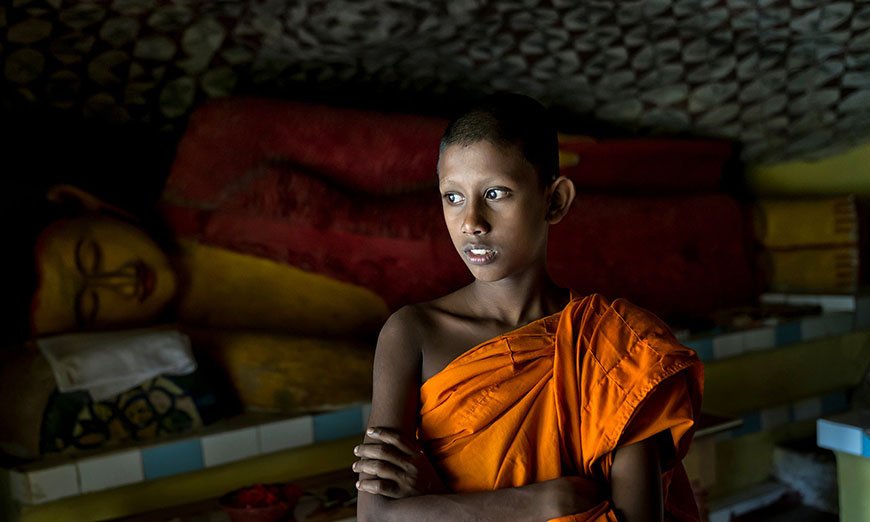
{"type": "Point", "coordinates": [54, 479]}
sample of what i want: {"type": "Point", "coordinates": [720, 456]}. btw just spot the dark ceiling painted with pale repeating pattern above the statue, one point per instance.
{"type": "Point", "coordinates": [787, 78]}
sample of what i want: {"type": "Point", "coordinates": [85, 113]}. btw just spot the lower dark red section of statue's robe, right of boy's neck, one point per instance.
{"type": "Point", "coordinates": [675, 255]}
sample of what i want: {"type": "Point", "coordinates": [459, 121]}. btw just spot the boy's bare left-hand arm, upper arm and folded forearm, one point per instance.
{"type": "Point", "coordinates": [395, 399]}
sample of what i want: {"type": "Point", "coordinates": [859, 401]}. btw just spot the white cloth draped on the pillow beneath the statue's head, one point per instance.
{"type": "Point", "coordinates": [108, 363]}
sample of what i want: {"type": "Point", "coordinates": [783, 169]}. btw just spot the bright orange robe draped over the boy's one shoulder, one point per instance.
{"type": "Point", "coordinates": [556, 397]}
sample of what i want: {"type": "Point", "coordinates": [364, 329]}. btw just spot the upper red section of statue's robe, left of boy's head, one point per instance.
{"type": "Point", "coordinates": [229, 138]}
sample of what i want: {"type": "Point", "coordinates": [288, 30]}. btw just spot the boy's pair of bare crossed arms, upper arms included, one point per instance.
{"type": "Point", "coordinates": [398, 482]}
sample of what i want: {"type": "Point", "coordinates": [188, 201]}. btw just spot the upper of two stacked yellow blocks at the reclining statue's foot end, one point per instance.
{"type": "Point", "coordinates": [806, 222]}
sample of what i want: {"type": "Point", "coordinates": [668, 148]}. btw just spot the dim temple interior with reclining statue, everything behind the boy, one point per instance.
{"type": "Point", "coordinates": [215, 205]}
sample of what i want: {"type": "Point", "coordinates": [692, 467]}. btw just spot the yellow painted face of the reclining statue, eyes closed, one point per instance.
{"type": "Point", "coordinates": [97, 272]}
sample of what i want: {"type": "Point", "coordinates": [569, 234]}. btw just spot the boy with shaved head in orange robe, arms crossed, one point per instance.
{"type": "Point", "coordinates": [511, 398]}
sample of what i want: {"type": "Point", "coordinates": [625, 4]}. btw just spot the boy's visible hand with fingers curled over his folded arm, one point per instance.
{"type": "Point", "coordinates": [400, 469]}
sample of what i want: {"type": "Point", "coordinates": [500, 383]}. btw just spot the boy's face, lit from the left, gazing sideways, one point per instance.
{"type": "Point", "coordinates": [495, 209]}
